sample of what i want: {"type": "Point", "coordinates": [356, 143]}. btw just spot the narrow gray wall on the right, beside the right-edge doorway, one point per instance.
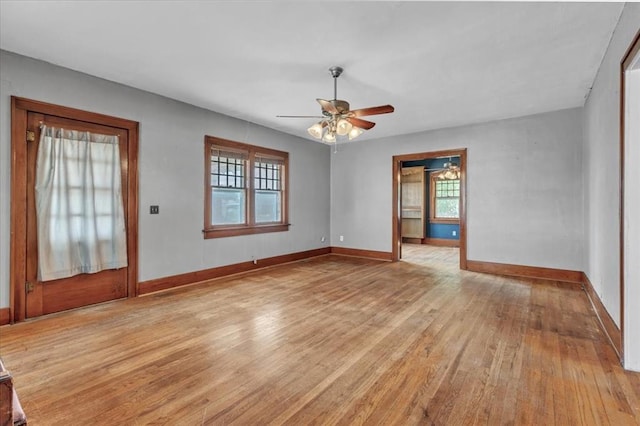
{"type": "Point", "coordinates": [602, 172]}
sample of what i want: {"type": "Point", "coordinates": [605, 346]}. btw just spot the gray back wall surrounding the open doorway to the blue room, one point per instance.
{"type": "Point", "coordinates": [524, 189]}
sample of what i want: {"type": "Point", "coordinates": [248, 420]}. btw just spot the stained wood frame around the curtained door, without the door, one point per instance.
{"type": "Point", "coordinates": [20, 107]}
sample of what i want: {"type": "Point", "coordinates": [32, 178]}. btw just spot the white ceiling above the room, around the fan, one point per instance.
{"type": "Point", "coordinates": [440, 64]}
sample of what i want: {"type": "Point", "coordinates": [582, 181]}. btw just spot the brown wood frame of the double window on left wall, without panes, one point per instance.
{"type": "Point", "coordinates": [250, 226]}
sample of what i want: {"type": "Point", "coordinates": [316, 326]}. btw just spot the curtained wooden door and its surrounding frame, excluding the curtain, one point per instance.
{"type": "Point", "coordinates": [29, 296]}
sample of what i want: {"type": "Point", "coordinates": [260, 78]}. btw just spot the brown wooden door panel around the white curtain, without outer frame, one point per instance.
{"type": "Point", "coordinates": [80, 290]}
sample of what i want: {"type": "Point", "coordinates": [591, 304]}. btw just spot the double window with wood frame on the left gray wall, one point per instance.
{"type": "Point", "coordinates": [245, 189]}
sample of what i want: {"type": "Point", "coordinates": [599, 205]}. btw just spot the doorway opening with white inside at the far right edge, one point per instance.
{"type": "Point", "coordinates": [630, 206]}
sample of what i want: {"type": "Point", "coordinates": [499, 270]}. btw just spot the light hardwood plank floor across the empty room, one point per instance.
{"type": "Point", "coordinates": [330, 340]}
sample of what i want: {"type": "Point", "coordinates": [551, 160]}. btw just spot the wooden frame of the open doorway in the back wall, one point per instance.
{"type": "Point", "coordinates": [396, 217]}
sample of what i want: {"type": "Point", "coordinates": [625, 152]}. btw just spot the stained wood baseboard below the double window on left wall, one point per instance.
{"type": "Point", "coordinates": [179, 280]}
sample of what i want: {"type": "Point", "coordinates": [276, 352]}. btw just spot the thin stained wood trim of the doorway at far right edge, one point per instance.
{"type": "Point", "coordinates": [631, 52]}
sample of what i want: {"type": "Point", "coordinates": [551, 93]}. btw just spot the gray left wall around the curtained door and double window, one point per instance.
{"type": "Point", "coordinates": [171, 171]}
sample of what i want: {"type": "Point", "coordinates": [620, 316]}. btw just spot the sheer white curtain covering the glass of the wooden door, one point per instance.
{"type": "Point", "coordinates": [80, 215]}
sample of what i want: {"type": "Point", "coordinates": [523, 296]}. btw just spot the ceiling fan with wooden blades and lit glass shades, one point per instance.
{"type": "Point", "coordinates": [337, 119]}
